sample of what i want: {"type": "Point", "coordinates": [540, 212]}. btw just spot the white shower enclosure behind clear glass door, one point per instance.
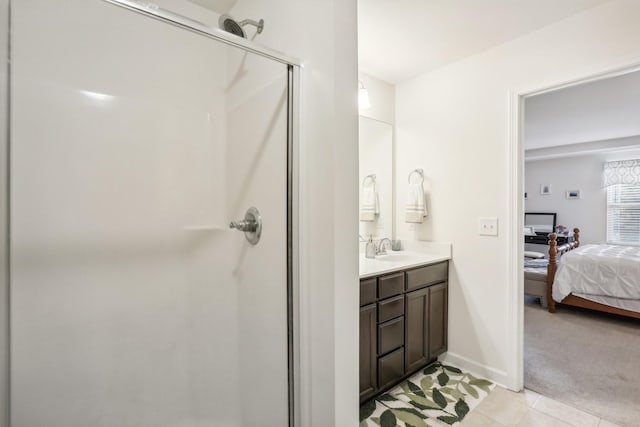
{"type": "Point", "coordinates": [136, 138]}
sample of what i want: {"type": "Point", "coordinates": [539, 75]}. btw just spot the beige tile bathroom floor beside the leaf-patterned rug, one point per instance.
{"type": "Point", "coordinates": [504, 408]}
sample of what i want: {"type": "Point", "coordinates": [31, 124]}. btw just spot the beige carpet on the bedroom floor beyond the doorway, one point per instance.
{"type": "Point", "coordinates": [585, 359]}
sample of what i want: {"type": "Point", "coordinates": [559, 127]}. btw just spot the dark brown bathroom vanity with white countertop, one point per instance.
{"type": "Point", "coordinates": [403, 318]}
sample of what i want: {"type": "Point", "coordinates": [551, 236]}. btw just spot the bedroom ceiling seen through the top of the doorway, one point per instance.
{"type": "Point", "coordinates": [601, 110]}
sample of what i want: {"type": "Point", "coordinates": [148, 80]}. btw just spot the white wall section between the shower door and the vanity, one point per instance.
{"type": "Point", "coordinates": [323, 35]}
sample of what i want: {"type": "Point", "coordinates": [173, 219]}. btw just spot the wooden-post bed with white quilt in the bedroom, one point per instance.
{"type": "Point", "coordinates": [599, 277]}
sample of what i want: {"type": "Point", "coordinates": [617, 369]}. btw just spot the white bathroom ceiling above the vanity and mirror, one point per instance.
{"type": "Point", "coordinates": [400, 39]}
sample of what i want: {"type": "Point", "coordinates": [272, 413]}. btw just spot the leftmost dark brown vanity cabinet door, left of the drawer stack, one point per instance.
{"type": "Point", "coordinates": [368, 344]}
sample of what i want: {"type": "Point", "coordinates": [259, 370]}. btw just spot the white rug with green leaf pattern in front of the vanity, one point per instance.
{"type": "Point", "coordinates": [439, 395]}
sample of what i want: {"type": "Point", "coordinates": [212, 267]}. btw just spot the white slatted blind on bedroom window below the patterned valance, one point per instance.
{"type": "Point", "coordinates": [623, 214]}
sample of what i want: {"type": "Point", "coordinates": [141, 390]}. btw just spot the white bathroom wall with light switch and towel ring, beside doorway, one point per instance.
{"type": "Point", "coordinates": [454, 122]}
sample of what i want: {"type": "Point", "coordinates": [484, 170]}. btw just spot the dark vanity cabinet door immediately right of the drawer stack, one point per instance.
{"type": "Point", "coordinates": [416, 329]}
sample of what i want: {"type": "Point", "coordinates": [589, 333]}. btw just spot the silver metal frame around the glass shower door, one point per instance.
{"type": "Point", "coordinates": [293, 134]}
